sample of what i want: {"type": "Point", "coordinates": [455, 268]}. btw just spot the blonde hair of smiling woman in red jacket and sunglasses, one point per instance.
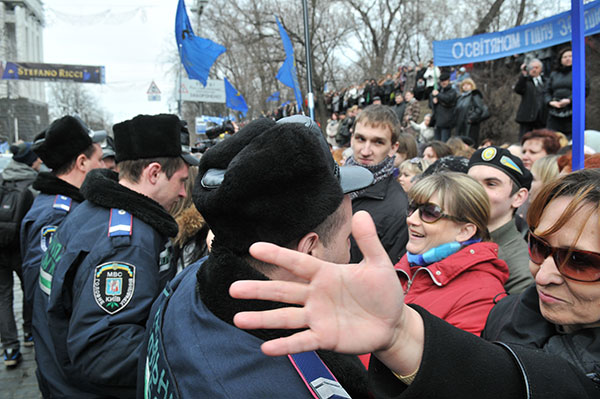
{"type": "Point", "coordinates": [460, 196]}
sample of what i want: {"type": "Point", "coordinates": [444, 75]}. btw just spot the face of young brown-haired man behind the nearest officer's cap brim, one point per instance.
{"type": "Point", "coordinates": [371, 145]}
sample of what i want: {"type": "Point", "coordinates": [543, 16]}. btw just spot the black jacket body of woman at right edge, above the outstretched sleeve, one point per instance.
{"type": "Point", "coordinates": [517, 319]}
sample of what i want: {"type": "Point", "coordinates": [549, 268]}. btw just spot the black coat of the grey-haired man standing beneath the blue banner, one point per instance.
{"type": "Point", "coordinates": [533, 107]}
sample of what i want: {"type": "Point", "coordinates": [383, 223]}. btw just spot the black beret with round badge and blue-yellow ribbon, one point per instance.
{"type": "Point", "coordinates": [502, 159]}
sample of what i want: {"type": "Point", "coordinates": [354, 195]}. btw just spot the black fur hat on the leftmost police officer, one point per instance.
{"type": "Point", "coordinates": [64, 140]}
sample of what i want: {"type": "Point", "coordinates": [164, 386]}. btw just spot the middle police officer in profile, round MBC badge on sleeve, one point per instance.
{"type": "Point", "coordinates": [108, 261]}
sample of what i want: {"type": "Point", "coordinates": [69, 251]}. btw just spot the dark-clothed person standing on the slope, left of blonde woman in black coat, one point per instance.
{"type": "Point", "coordinates": [442, 103]}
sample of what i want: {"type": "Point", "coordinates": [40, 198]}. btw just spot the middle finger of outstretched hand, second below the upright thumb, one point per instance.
{"type": "Point", "coordinates": [278, 291]}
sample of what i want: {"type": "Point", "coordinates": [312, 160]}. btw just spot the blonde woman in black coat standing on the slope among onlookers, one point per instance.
{"type": "Point", "coordinates": [470, 110]}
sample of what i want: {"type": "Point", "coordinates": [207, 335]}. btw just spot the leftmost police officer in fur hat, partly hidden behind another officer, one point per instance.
{"type": "Point", "coordinates": [71, 150]}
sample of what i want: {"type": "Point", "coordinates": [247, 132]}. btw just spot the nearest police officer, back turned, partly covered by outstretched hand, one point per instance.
{"type": "Point", "coordinates": [274, 182]}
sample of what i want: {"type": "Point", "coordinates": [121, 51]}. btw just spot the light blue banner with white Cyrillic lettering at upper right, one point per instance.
{"type": "Point", "coordinates": [521, 39]}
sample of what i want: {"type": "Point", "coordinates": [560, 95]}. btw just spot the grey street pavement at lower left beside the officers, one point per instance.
{"type": "Point", "coordinates": [20, 382]}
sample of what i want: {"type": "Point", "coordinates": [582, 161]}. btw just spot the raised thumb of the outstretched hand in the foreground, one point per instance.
{"type": "Point", "coordinates": [365, 234]}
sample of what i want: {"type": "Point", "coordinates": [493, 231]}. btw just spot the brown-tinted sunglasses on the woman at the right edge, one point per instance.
{"type": "Point", "coordinates": [573, 264]}
